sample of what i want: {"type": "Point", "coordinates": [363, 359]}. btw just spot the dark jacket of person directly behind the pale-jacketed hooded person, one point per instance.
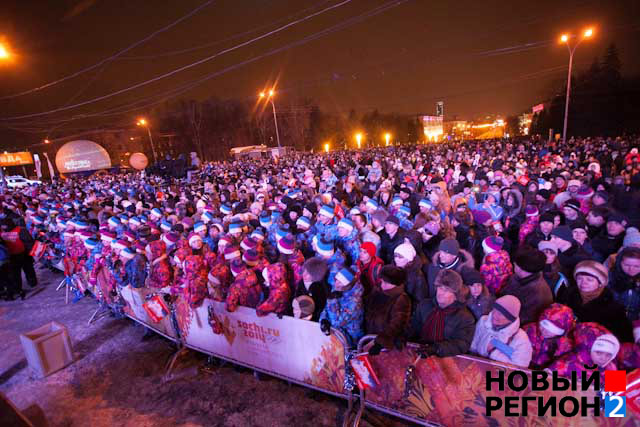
{"type": "Point", "coordinates": [534, 295]}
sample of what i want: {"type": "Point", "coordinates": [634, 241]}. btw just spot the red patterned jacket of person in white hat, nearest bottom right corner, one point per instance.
{"type": "Point", "coordinates": [584, 336]}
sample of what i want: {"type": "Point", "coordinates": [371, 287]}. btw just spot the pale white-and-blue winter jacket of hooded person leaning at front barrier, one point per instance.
{"type": "Point", "coordinates": [510, 344]}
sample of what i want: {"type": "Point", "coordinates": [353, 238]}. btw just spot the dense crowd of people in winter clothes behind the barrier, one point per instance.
{"type": "Point", "coordinates": [521, 251]}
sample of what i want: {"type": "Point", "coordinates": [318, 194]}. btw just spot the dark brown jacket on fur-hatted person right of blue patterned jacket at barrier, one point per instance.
{"type": "Point", "coordinates": [387, 314]}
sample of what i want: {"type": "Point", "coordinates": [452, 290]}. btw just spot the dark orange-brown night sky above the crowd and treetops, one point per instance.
{"type": "Point", "coordinates": [489, 57]}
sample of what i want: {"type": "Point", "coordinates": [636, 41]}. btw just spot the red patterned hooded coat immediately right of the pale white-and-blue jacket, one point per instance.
{"type": "Point", "coordinates": [546, 350]}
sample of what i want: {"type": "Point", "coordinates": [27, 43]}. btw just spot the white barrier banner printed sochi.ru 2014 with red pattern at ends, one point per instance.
{"type": "Point", "coordinates": [290, 347]}
